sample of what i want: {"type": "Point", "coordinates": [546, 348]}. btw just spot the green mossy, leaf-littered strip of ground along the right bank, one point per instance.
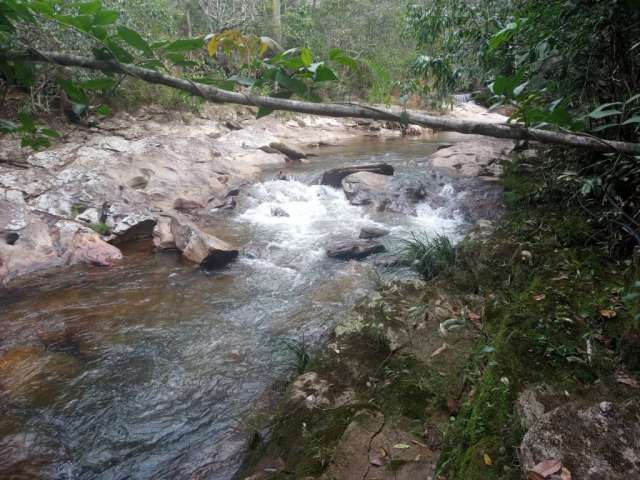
{"type": "Point", "coordinates": [550, 289]}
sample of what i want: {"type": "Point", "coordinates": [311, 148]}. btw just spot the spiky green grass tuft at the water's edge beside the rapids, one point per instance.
{"type": "Point", "coordinates": [430, 256]}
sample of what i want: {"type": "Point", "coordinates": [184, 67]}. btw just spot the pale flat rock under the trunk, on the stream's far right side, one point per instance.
{"type": "Point", "coordinates": [482, 157]}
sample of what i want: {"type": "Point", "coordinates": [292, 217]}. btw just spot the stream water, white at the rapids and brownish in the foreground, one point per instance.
{"type": "Point", "coordinates": [148, 370]}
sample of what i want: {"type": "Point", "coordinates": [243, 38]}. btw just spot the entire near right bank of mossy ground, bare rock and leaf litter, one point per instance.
{"type": "Point", "coordinates": [523, 358]}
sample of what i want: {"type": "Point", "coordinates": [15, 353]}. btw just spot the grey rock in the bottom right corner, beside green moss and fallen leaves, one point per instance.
{"type": "Point", "coordinates": [597, 440]}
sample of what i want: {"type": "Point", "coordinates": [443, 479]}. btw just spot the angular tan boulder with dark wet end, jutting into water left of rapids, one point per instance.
{"type": "Point", "coordinates": [200, 247]}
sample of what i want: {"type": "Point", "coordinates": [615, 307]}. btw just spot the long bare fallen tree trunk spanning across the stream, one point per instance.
{"type": "Point", "coordinates": [213, 94]}
